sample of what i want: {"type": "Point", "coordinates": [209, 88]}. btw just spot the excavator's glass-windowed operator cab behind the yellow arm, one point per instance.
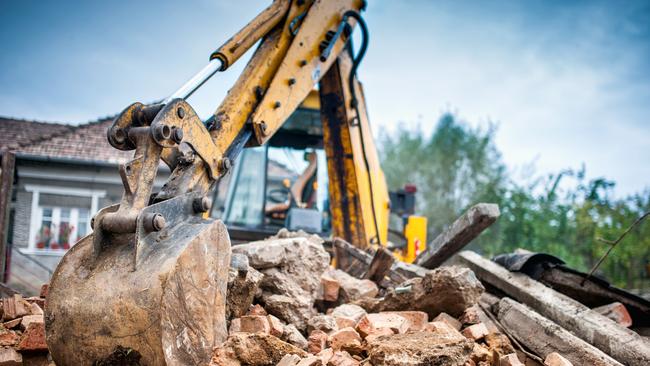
{"type": "Point", "coordinates": [281, 184]}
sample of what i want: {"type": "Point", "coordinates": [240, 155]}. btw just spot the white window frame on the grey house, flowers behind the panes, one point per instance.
{"type": "Point", "coordinates": [36, 212]}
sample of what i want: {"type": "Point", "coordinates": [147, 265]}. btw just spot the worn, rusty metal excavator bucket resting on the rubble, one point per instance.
{"type": "Point", "coordinates": [155, 296]}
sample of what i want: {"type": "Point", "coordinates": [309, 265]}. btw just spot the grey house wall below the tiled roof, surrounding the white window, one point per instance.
{"type": "Point", "coordinates": [60, 185]}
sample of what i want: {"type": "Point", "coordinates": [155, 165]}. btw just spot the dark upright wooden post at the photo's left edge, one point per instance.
{"type": "Point", "coordinates": [6, 187]}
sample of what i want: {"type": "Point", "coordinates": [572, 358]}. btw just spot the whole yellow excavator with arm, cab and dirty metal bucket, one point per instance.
{"type": "Point", "coordinates": [152, 276]}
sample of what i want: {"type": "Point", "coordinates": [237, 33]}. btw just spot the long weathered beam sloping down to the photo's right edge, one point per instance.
{"type": "Point", "coordinates": [622, 344]}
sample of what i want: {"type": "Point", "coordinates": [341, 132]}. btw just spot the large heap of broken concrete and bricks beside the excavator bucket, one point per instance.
{"type": "Point", "coordinates": [287, 306]}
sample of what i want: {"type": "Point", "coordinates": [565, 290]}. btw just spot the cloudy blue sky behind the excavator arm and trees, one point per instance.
{"type": "Point", "coordinates": [566, 82]}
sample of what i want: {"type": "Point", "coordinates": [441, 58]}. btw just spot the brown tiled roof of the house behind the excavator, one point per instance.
{"type": "Point", "coordinates": [86, 142]}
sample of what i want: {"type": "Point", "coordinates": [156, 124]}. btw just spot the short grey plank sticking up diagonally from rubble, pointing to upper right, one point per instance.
{"type": "Point", "coordinates": [465, 229]}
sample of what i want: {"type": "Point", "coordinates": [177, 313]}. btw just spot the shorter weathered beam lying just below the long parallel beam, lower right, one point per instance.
{"type": "Point", "coordinates": [543, 336]}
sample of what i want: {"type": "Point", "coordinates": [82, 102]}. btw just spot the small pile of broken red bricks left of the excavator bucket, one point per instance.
{"type": "Point", "coordinates": [22, 333]}
